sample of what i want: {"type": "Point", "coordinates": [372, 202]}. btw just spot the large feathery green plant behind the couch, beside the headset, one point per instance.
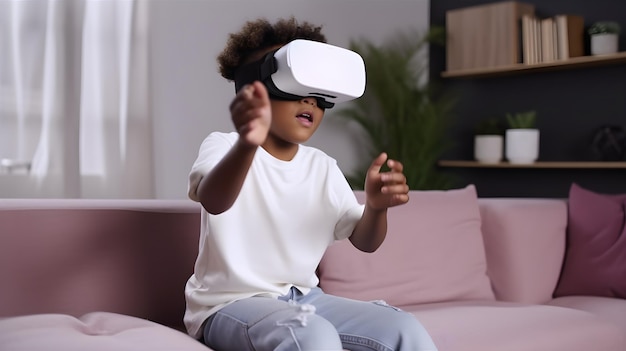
{"type": "Point", "coordinates": [399, 112]}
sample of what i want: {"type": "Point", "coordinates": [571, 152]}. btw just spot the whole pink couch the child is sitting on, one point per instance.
{"type": "Point", "coordinates": [479, 274]}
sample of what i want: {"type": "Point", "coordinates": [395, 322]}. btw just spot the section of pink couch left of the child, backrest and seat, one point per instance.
{"type": "Point", "coordinates": [95, 274]}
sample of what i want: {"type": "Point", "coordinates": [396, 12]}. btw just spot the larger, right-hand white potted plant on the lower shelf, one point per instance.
{"type": "Point", "coordinates": [522, 138]}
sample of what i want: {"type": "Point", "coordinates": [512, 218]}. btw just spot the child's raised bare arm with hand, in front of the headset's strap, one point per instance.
{"type": "Point", "coordinates": [251, 115]}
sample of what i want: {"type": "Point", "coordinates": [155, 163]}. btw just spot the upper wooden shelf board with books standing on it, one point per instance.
{"type": "Point", "coordinates": [575, 62]}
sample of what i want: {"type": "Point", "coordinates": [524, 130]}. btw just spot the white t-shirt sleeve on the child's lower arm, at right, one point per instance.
{"type": "Point", "coordinates": [349, 209]}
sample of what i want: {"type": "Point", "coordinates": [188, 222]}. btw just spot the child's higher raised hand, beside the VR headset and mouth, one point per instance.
{"type": "Point", "coordinates": [251, 113]}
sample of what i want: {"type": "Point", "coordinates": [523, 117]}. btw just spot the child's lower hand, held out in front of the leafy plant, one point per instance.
{"type": "Point", "coordinates": [385, 189]}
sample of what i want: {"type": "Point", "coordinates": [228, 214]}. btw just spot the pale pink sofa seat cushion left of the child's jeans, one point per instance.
{"type": "Point", "coordinates": [97, 331]}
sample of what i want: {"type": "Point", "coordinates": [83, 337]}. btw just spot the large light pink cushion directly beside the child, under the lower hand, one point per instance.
{"type": "Point", "coordinates": [433, 252]}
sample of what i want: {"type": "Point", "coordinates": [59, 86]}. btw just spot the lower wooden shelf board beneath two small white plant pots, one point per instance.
{"type": "Point", "coordinates": [538, 164]}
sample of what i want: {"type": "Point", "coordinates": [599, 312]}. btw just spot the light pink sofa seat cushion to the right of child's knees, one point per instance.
{"type": "Point", "coordinates": [510, 326]}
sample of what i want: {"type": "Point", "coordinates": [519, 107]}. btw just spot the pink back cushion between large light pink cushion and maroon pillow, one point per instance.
{"type": "Point", "coordinates": [524, 243]}
